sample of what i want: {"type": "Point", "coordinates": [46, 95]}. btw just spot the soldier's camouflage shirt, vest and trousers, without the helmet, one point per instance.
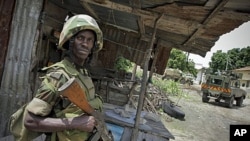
{"type": "Point", "coordinates": [48, 101]}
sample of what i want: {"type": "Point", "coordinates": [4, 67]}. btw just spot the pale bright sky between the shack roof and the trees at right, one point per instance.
{"type": "Point", "coordinates": [238, 38]}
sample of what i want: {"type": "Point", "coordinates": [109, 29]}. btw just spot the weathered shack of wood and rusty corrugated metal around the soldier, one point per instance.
{"type": "Point", "coordinates": [142, 31]}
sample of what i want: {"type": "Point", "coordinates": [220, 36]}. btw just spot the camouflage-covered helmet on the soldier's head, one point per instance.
{"type": "Point", "coordinates": [78, 23]}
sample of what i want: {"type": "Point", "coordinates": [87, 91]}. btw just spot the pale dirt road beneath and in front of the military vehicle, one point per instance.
{"type": "Point", "coordinates": [205, 121]}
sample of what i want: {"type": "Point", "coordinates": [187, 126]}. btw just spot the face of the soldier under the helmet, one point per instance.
{"type": "Point", "coordinates": [84, 42]}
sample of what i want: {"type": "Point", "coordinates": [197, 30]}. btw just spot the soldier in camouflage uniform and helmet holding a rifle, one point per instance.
{"type": "Point", "coordinates": [49, 112]}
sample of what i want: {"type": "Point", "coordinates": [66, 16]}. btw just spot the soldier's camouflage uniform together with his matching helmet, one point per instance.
{"type": "Point", "coordinates": [48, 101]}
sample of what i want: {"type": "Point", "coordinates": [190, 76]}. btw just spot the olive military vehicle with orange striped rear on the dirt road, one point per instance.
{"type": "Point", "coordinates": [223, 87]}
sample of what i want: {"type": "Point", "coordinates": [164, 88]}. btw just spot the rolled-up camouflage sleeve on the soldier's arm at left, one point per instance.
{"type": "Point", "coordinates": [47, 94]}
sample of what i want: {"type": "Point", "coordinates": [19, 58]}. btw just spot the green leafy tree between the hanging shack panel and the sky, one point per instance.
{"type": "Point", "coordinates": [179, 60]}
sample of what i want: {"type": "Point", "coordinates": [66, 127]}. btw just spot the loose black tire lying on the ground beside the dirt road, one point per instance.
{"type": "Point", "coordinates": [173, 110]}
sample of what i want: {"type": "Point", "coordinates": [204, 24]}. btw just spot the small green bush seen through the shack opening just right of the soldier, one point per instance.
{"type": "Point", "coordinates": [122, 64]}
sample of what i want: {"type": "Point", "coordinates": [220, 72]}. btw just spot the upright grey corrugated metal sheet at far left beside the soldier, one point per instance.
{"type": "Point", "coordinates": [15, 86]}
